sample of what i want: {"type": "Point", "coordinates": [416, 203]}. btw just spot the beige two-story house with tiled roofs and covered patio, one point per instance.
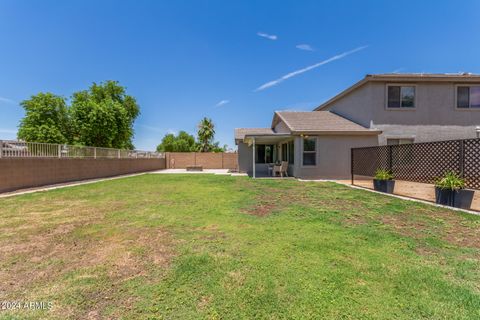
{"type": "Point", "coordinates": [378, 110]}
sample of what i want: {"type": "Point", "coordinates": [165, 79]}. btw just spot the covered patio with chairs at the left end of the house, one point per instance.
{"type": "Point", "coordinates": [269, 150]}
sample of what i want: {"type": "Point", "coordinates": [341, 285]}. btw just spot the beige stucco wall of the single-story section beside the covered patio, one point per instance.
{"type": "Point", "coordinates": [333, 156]}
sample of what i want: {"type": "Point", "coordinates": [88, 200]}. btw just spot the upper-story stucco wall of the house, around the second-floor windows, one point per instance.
{"type": "Point", "coordinates": [434, 117]}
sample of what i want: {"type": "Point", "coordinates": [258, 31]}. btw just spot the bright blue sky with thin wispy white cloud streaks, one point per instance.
{"type": "Point", "coordinates": [184, 60]}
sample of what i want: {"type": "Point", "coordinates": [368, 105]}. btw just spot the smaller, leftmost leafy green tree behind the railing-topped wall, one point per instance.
{"type": "Point", "coordinates": [46, 119]}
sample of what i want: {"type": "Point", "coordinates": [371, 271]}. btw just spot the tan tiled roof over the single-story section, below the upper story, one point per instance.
{"type": "Point", "coordinates": [319, 121]}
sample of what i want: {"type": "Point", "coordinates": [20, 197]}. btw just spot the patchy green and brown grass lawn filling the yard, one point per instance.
{"type": "Point", "coordinates": [219, 247]}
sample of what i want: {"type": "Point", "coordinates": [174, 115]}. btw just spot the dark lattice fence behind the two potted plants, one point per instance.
{"type": "Point", "coordinates": [421, 162]}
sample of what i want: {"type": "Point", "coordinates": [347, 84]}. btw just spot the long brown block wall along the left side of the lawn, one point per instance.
{"type": "Point", "coordinates": [19, 173]}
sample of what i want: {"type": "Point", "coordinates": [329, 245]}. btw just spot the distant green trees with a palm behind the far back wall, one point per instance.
{"type": "Point", "coordinates": [184, 142]}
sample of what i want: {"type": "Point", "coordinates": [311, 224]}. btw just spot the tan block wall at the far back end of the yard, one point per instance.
{"type": "Point", "coordinates": [208, 160]}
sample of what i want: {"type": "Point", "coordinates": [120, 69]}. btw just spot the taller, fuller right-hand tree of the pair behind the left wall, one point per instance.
{"type": "Point", "coordinates": [103, 116]}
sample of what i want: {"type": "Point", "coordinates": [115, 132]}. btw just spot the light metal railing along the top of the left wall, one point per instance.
{"type": "Point", "coordinates": [21, 149]}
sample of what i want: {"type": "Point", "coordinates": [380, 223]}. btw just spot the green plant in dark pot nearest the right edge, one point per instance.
{"type": "Point", "coordinates": [450, 190]}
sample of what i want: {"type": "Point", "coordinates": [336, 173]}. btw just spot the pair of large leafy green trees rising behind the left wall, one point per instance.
{"type": "Point", "coordinates": [101, 116]}
